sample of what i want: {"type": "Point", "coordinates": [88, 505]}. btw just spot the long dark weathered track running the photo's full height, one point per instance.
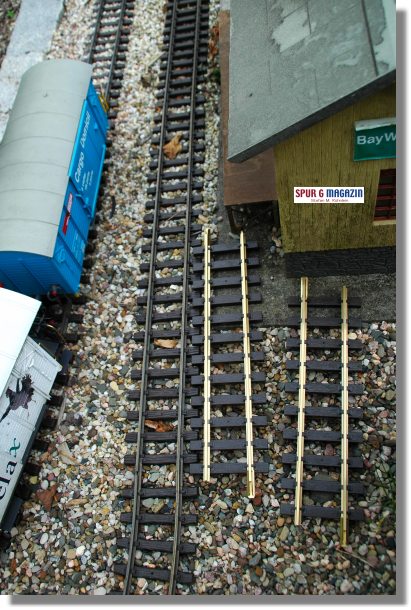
{"type": "Point", "coordinates": [157, 513]}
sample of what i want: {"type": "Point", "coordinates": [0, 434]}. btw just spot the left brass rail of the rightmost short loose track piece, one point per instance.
{"type": "Point", "coordinates": [301, 403]}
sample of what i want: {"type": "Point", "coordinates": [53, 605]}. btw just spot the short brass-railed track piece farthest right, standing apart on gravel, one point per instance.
{"type": "Point", "coordinates": [324, 411]}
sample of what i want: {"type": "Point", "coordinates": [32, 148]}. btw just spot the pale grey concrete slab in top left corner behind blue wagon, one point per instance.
{"type": "Point", "coordinates": [31, 39]}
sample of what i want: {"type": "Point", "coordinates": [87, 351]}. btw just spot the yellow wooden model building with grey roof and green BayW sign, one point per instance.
{"type": "Point", "coordinates": [313, 82]}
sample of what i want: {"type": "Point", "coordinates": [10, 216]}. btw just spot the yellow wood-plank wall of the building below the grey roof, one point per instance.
{"type": "Point", "coordinates": [322, 155]}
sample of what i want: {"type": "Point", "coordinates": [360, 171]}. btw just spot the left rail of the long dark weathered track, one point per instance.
{"type": "Point", "coordinates": [148, 325]}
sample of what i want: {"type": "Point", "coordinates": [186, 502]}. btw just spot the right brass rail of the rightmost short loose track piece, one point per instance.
{"type": "Point", "coordinates": [344, 418]}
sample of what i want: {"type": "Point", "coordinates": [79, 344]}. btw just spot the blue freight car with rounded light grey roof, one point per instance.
{"type": "Point", "coordinates": [51, 159]}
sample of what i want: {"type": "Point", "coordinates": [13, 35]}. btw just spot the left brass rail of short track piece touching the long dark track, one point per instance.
{"type": "Point", "coordinates": [207, 354]}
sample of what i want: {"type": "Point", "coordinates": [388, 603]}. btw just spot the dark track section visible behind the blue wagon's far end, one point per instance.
{"type": "Point", "coordinates": [108, 49]}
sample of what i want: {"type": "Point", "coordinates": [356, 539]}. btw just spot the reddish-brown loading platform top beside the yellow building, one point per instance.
{"type": "Point", "coordinates": [254, 180]}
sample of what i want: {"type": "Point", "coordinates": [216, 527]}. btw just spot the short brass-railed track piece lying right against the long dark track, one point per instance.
{"type": "Point", "coordinates": [228, 379]}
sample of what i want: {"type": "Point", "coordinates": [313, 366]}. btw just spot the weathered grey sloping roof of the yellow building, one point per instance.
{"type": "Point", "coordinates": [295, 62]}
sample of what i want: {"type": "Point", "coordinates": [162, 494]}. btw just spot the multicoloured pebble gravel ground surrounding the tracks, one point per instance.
{"type": "Point", "coordinates": [244, 546]}
